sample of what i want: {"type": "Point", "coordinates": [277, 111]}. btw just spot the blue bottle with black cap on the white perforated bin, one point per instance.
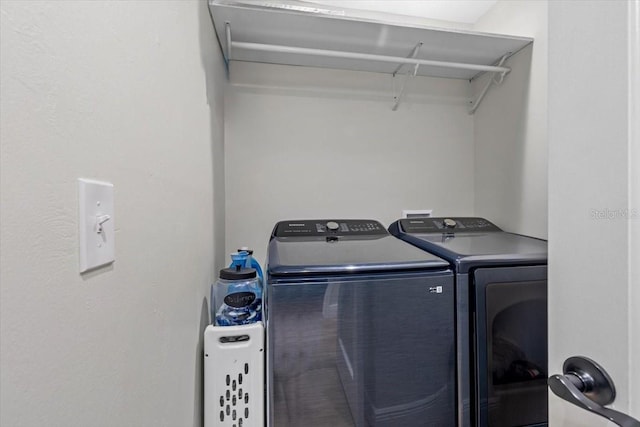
{"type": "Point", "coordinates": [237, 296]}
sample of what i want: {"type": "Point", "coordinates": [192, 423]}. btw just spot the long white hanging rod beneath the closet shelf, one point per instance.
{"type": "Point", "coordinates": [362, 56]}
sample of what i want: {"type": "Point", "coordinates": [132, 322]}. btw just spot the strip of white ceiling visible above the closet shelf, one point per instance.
{"type": "Point", "coordinates": [465, 11]}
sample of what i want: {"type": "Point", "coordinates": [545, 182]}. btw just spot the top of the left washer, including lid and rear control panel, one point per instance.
{"type": "Point", "coordinates": [354, 246]}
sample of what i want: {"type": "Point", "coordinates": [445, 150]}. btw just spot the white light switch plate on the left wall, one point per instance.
{"type": "Point", "coordinates": [96, 240]}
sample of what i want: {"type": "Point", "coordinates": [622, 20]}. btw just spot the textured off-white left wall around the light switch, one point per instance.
{"type": "Point", "coordinates": [131, 93]}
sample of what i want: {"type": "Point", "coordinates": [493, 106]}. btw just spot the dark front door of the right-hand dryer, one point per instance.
{"type": "Point", "coordinates": [511, 346]}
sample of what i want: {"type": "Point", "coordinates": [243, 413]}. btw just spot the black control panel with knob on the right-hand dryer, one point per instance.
{"type": "Point", "coordinates": [447, 225]}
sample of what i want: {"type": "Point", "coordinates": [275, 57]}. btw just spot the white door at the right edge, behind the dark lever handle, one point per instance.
{"type": "Point", "coordinates": [594, 210]}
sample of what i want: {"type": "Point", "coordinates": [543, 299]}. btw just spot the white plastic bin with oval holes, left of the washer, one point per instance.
{"type": "Point", "coordinates": [234, 376]}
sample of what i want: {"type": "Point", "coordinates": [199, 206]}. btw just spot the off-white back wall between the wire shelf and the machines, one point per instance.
{"type": "Point", "coordinates": [319, 143]}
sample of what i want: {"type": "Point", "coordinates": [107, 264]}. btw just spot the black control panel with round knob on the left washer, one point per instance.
{"type": "Point", "coordinates": [329, 227]}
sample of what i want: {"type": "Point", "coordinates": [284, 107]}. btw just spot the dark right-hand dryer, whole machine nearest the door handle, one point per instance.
{"type": "Point", "coordinates": [501, 294]}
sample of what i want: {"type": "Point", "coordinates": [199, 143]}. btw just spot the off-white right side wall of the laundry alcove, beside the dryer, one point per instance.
{"type": "Point", "coordinates": [510, 126]}
